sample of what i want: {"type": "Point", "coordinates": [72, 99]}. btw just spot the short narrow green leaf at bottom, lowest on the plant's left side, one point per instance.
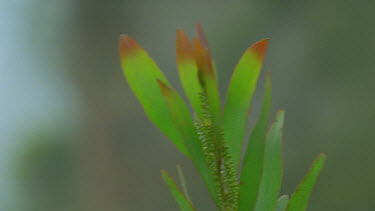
{"type": "Point", "coordinates": [182, 202]}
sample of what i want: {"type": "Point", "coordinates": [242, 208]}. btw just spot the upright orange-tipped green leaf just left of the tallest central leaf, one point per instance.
{"type": "Point", "coordinates": [188, 70]}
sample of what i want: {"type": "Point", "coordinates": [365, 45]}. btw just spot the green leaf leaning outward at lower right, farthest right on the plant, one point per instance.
{"type": "Point", "coordinates": [300, 198]}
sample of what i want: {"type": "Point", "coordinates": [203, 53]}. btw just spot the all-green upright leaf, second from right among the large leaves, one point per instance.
{"type": "Point", "coordinates": [271, 179]}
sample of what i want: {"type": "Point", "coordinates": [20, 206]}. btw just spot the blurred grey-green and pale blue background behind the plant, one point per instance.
{"type": "Point", "coordinates": [74, 137]}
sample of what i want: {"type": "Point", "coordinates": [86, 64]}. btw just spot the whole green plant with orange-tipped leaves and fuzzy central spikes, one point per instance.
{"type": "Point", "coordinates": [212, 138]}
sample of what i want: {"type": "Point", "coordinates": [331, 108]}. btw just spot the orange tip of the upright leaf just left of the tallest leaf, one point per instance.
{"type": "Point", "coordinates": [184, 49]}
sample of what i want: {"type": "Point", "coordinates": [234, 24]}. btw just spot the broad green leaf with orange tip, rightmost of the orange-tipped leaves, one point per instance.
{"type": "Point", "coordinates": [239, 95]}
